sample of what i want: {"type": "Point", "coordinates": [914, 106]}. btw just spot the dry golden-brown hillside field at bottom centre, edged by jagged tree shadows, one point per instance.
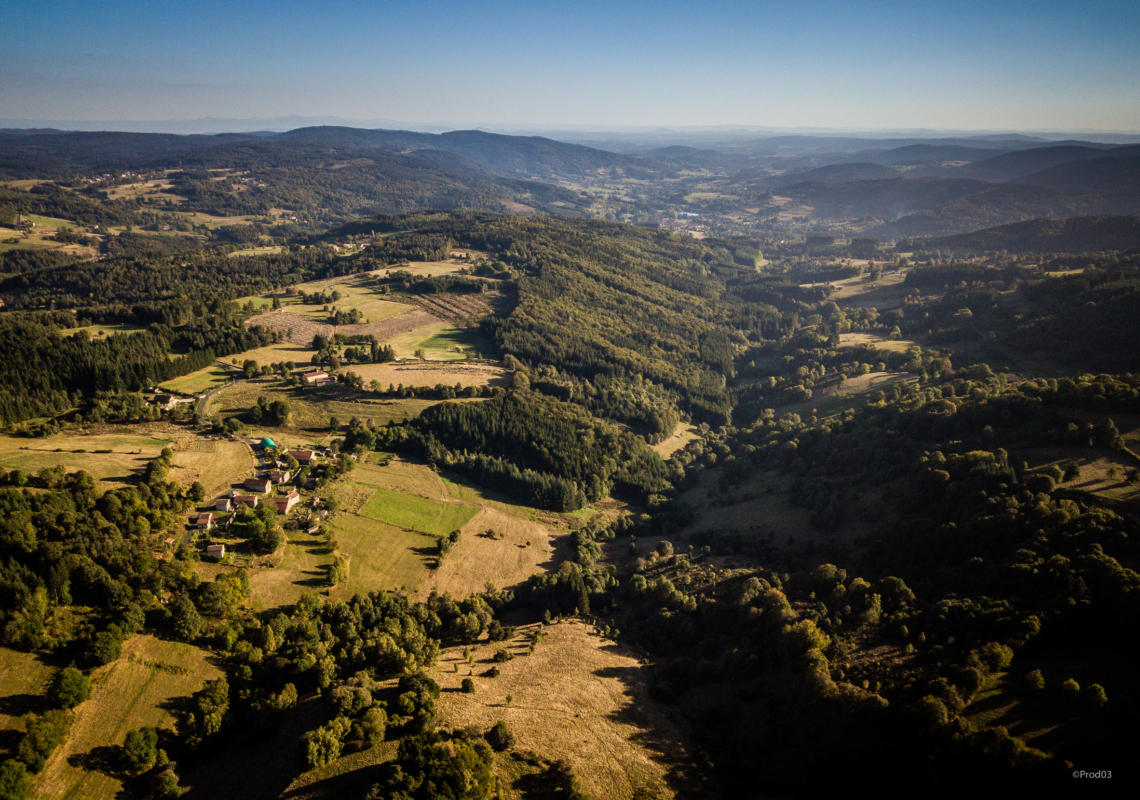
{"type": "Point", "coordinates": [579, 698]}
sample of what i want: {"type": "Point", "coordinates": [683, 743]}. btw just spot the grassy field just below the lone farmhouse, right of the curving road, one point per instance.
{"type": "Point", "coordinates": [314, 409]}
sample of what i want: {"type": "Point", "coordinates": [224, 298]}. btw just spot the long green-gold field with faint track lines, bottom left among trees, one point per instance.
{"type": "Point", "coordinates": [128, 693]}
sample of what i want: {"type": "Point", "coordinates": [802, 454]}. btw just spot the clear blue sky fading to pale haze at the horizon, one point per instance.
{"type": "Point", "coordinates": [963, 66]}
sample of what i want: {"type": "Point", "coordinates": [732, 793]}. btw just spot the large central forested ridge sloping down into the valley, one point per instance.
{"type": "Point", "coordinates": [600, 299]}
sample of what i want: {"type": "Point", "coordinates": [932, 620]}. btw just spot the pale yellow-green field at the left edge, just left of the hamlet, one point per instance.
{"type": "Point", "coordinates": [129, 454]}
